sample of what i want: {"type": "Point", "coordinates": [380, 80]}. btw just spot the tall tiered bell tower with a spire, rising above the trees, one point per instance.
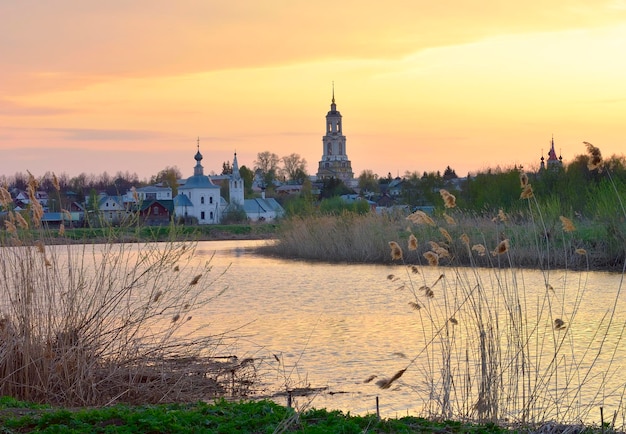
{"type": "Point", "coordinates": [334, 162]}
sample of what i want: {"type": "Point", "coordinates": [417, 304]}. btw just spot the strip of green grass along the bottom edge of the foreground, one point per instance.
{"type": "Point", "coordinates": [219, 417]}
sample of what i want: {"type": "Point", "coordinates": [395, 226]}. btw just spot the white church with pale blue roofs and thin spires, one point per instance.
{"type": "Point", "coordinates": [199, 198]}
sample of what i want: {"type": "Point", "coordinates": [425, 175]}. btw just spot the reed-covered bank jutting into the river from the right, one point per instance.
{"type": "Point", "coordinates": [452, 241]}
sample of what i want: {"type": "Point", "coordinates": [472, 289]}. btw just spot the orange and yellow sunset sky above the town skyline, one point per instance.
{"type": "Point", "coordinates": [131, 86]}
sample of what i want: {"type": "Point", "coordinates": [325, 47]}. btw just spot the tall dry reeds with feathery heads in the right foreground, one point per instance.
{"type": "Point", "coordinates": [497, 349]}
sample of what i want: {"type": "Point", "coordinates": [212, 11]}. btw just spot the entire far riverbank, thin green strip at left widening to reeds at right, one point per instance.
{"type": "Point", "coordinates": [351, 238]}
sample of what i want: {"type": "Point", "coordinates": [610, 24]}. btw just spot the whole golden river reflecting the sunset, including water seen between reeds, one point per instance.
{"type": "Point", "coordinates": [455, 341]}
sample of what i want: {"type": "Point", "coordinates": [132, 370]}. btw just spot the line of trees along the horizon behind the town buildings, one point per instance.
{"type": "Point", "coordinates": [571, 188]}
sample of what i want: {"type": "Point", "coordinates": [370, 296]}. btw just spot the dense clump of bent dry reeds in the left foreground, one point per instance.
{"type": "Point", "coordinates": [93, 324]}
